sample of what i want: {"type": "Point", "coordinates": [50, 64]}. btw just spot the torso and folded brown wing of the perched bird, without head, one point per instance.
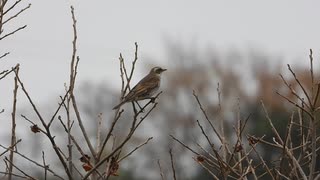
{"type": "Point", "coordinates": [143, 88]}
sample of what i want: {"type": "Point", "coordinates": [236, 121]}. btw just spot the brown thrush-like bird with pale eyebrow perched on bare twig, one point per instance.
{"type": "Point", "coordinates": [145, 88]}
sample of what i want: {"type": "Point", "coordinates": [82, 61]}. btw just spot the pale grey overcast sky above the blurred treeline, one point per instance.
{"type": "Point", "coordinates": [106, 28]}
